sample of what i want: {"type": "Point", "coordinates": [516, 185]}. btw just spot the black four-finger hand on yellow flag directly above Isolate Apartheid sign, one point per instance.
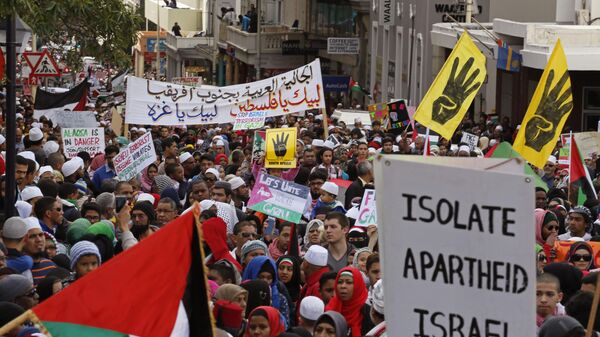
{"type": "Point", "coordinates": [456, 91]}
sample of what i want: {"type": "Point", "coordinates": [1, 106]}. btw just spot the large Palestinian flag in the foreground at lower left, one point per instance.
{"type": "Point", "coordinates": [157, 288]}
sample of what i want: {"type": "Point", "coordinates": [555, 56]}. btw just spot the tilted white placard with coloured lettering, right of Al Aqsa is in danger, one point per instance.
{"type": "Point", "coordinates": [133, 159]}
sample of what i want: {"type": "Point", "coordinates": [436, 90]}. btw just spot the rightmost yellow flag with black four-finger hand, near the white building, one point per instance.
{"type": "Point", "coordinates": [548, 110]}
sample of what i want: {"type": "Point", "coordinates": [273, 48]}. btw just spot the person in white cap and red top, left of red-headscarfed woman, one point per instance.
{"type": "Point", "coordinates": [314, 266]}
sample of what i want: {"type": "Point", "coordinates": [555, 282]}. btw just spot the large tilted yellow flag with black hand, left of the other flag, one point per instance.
{"type": "Point", "coordinates": [454, 88]}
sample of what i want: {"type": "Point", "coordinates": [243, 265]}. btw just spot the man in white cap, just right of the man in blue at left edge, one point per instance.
{"type": "Point", "coordinates": [35, 247]}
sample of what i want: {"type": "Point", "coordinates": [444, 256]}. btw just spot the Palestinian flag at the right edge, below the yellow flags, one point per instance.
{"type": "Point", "coordinates": [581, 187]}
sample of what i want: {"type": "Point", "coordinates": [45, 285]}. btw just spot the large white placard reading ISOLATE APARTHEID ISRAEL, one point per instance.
{"type": "Point", "coordinates": [443, 248]}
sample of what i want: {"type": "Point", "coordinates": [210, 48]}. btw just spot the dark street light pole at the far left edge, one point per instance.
{"type": "Point", "coordinates": [11, 107]}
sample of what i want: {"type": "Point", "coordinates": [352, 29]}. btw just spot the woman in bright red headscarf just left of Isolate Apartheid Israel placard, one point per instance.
{"type": "Point", "coordinates": [349, 300]}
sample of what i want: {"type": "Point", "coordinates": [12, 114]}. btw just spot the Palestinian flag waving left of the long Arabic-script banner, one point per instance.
{"type": "Point", "coordinates": [50, 104]}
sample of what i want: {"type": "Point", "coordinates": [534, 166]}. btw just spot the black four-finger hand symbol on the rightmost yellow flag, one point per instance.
{"type": "Point", "coordinates": [542, 126]}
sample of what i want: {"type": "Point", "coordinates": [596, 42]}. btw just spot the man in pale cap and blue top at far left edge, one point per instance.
{"type": "Point", "coordinates": [14, 237]}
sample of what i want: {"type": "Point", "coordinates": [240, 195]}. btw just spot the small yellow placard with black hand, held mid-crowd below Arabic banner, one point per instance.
{"type": "Point", "coordinates": [281, 148]}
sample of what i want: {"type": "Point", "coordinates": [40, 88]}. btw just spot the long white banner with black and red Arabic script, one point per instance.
{"type": "Point", "coordinates": [160, 103]}
